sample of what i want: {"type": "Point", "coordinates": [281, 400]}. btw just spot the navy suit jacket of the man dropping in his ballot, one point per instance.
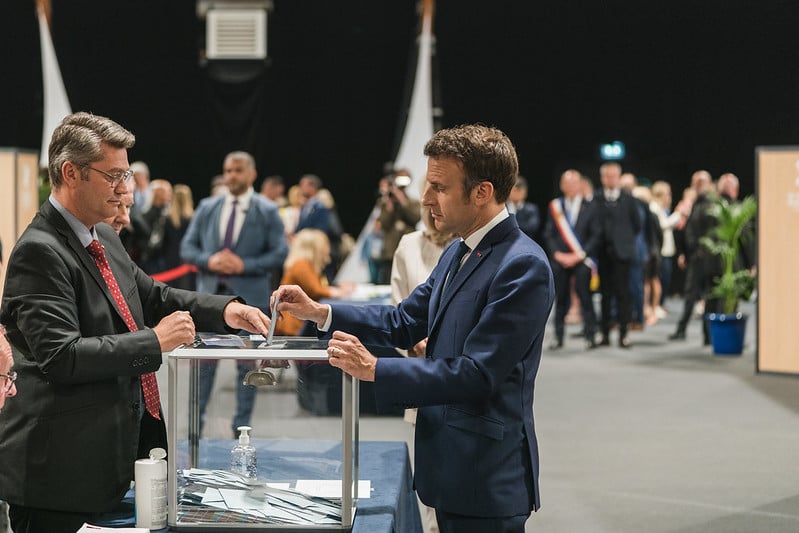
{"type": "Point", "coordinates": [476, 449]}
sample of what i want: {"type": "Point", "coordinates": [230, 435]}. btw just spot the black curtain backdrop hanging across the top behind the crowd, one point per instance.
{"type": "Point", "coordinates": [684, 84]}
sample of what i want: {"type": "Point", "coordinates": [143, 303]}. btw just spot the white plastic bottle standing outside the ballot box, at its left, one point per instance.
{"type": "Point", "coordinates": [150, 490]}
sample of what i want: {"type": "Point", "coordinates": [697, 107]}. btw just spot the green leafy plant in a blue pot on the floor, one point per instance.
{"type": "Point", "coordinates": [734, 228]}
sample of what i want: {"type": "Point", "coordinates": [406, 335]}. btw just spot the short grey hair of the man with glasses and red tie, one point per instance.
{"type": "Point", "coordinates": [79, 138]}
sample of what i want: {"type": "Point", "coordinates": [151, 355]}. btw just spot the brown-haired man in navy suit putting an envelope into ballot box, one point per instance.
{"type": "Point", "coordinates": [483, 309]}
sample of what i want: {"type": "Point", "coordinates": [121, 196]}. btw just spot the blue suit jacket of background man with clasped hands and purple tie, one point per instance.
{"type": "Point", "coordinates": [261, 245]}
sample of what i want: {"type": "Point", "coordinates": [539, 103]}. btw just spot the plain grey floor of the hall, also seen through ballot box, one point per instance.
{"type": "Point", "coordinates": [664, 437]}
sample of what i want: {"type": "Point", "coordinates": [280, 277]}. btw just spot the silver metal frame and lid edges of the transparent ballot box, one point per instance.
{"type": "Point", "coordinates": [293, 349]}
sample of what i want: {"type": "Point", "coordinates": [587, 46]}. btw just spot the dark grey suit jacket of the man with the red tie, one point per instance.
{"type": "Point", "coordinates": [69, 439]}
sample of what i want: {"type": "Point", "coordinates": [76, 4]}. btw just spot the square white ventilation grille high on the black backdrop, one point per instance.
{"type": "Point", "coordinates": [236, 34]}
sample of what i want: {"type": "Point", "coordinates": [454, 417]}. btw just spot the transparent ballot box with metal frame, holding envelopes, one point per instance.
{"type": "Point", "coordinates": [305, 476]}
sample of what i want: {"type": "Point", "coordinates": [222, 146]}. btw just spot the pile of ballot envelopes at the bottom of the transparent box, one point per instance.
{"type": "Point", "coordinates": [220, 496]}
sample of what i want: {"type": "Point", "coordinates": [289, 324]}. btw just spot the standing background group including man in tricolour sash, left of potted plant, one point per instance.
{"type": "Point", "coordinates": [638, 245]}
